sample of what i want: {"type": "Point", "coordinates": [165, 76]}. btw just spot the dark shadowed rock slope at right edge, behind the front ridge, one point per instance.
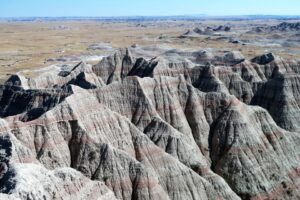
{"type": "Point", "coordinates": [280, 96]}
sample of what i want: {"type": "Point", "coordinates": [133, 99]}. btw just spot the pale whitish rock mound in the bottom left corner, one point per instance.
{"type": "Point", "coordinates": [35, 182]}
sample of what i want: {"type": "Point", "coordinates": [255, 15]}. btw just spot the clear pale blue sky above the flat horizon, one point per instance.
{"type": "Point", "coordinates": [26, 8]}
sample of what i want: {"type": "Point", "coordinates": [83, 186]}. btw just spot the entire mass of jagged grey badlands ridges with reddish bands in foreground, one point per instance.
{"type": "Point", "coordinates": [181, 125]}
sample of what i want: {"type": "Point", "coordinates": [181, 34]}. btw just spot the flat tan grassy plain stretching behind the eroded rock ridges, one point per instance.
{"type": "Point", "coordinates": [30, 45]}
